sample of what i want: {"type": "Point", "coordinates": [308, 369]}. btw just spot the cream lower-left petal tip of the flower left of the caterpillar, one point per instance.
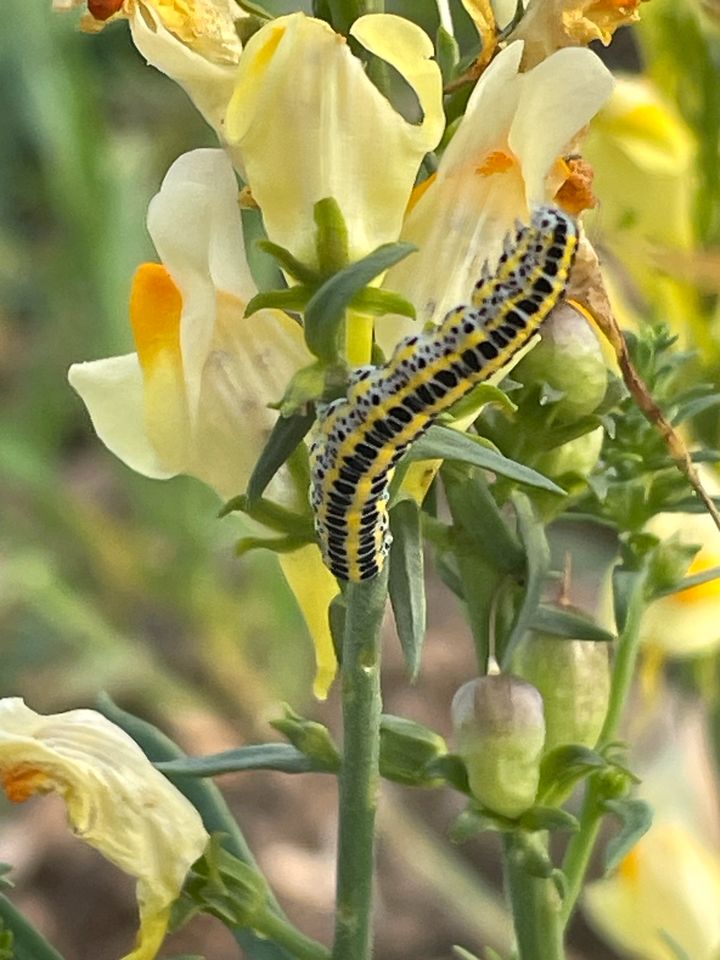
{"type": "Point", "coordinates": [113, 392]}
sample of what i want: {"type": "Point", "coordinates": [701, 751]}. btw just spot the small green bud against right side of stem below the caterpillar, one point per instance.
{"type": "Point", "coordinates": [406, 748]}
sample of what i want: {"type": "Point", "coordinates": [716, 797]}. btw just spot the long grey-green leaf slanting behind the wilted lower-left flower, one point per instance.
{"type": "Point", "coordinates": [207, 800]}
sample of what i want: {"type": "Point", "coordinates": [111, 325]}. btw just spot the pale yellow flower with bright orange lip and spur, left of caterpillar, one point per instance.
{"type": "Point", "coordinates": [193, 397]}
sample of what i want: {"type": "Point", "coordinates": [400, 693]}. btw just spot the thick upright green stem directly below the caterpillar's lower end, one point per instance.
{"type": "Point", "coordinates": [359, 776]}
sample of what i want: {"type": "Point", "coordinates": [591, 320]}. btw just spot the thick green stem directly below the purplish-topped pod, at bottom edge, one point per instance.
{"type": "Point", "coordinates": [535, 903]}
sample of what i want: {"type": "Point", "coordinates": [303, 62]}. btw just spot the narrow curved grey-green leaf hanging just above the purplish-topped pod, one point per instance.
{"type": "Point", "coordinates": [537, 552]}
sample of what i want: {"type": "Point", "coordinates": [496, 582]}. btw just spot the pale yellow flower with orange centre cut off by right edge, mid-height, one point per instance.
{"type": "Point", "coordinates": [686, 624]}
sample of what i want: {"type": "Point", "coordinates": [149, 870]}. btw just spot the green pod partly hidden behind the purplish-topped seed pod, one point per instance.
{"type": "Point", "coordinates": [573, 677]}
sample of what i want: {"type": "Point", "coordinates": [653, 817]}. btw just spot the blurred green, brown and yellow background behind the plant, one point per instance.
{"type": "Point", "coordinates": [112, 581]}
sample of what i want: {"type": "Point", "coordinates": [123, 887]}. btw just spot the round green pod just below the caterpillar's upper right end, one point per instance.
{"type": "Point", "coordinates": [569, 361]}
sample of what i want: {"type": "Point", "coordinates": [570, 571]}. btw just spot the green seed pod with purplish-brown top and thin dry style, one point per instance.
{"type": "Point", "coordinates": [499, 733]}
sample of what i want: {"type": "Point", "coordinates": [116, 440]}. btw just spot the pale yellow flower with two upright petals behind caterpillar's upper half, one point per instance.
{"type": "Point", "coordinates": [504, 157]}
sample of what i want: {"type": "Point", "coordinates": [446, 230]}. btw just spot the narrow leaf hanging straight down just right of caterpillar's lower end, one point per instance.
{"type": "Point", "coordinates": [406, 582]}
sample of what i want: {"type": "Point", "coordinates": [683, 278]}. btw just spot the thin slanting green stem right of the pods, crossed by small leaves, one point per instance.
{"type": "Point", "coordinates": [582, 843]}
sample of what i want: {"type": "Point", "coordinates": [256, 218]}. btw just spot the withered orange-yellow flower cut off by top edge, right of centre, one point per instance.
{"type": "Point", "coordinates": [549, 25]}
